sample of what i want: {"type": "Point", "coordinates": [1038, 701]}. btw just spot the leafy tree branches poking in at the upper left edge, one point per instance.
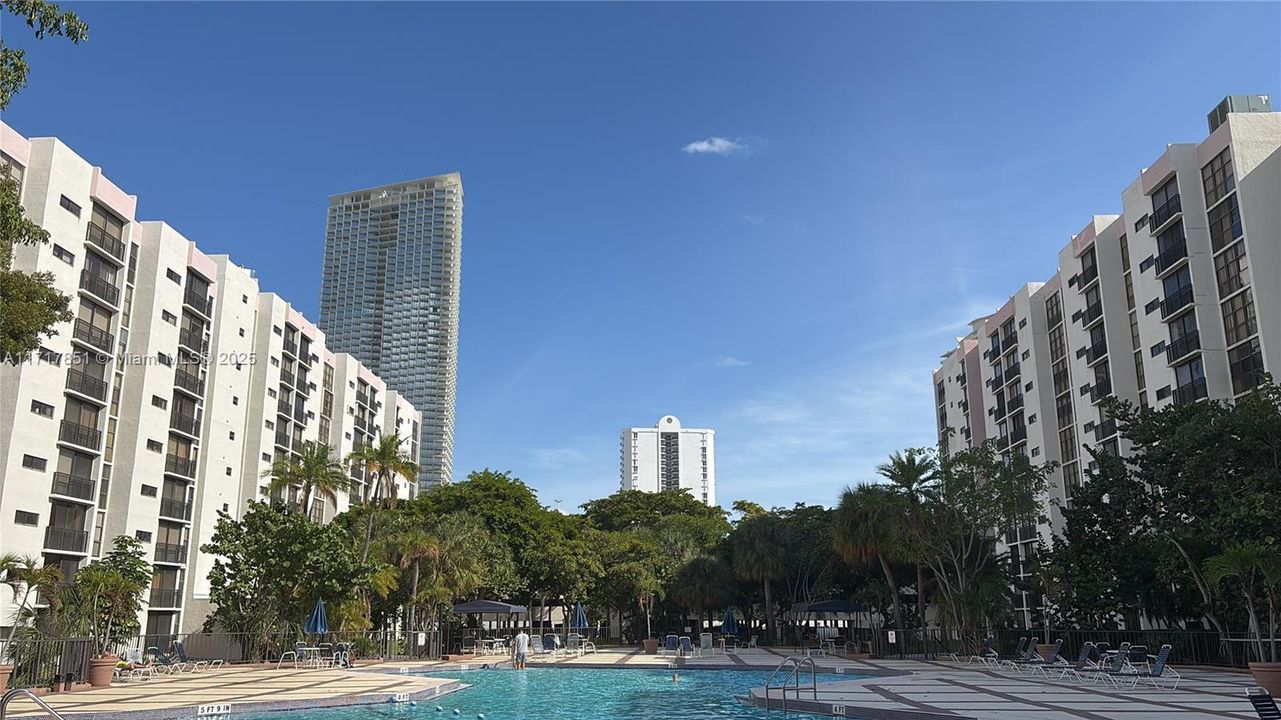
{"type": "Point", "coordinates": [30, 304]}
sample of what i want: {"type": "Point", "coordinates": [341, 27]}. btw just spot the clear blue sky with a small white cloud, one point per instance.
{"type": "Point", "coordinates": [885, 175]}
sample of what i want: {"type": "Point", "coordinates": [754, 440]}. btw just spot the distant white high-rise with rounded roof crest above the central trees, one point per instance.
{"type": "Point", "coordinates": [669, 458]}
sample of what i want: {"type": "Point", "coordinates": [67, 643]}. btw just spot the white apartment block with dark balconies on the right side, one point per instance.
{"type": "Point", "coordinates": [1177, 299]}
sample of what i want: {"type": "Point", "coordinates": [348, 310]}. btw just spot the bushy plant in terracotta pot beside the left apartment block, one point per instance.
{"type": "Point", "coordinates": [108, 598]}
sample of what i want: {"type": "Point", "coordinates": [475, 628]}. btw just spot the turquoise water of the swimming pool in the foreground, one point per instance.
{"type": "Point", "coordinates": [576, 694]}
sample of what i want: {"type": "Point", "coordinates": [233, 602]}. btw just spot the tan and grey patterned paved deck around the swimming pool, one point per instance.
{"type": "Point", "coordinates": [899, 690]}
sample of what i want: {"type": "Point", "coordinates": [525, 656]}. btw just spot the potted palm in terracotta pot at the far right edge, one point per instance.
{"type": "Point", "coordinates": [1256, 567]}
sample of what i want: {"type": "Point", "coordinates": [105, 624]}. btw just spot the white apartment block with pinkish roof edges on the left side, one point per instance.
{"type": "Point", "coordinates": [168, 397]}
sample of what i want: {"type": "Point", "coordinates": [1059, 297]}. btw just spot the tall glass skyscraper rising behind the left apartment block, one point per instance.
{"type": "Point", "coordinates": [390, 298]}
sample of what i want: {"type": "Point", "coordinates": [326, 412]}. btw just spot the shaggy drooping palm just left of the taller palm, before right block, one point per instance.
{"type": "Point", "coordinates": [869, 531]}
